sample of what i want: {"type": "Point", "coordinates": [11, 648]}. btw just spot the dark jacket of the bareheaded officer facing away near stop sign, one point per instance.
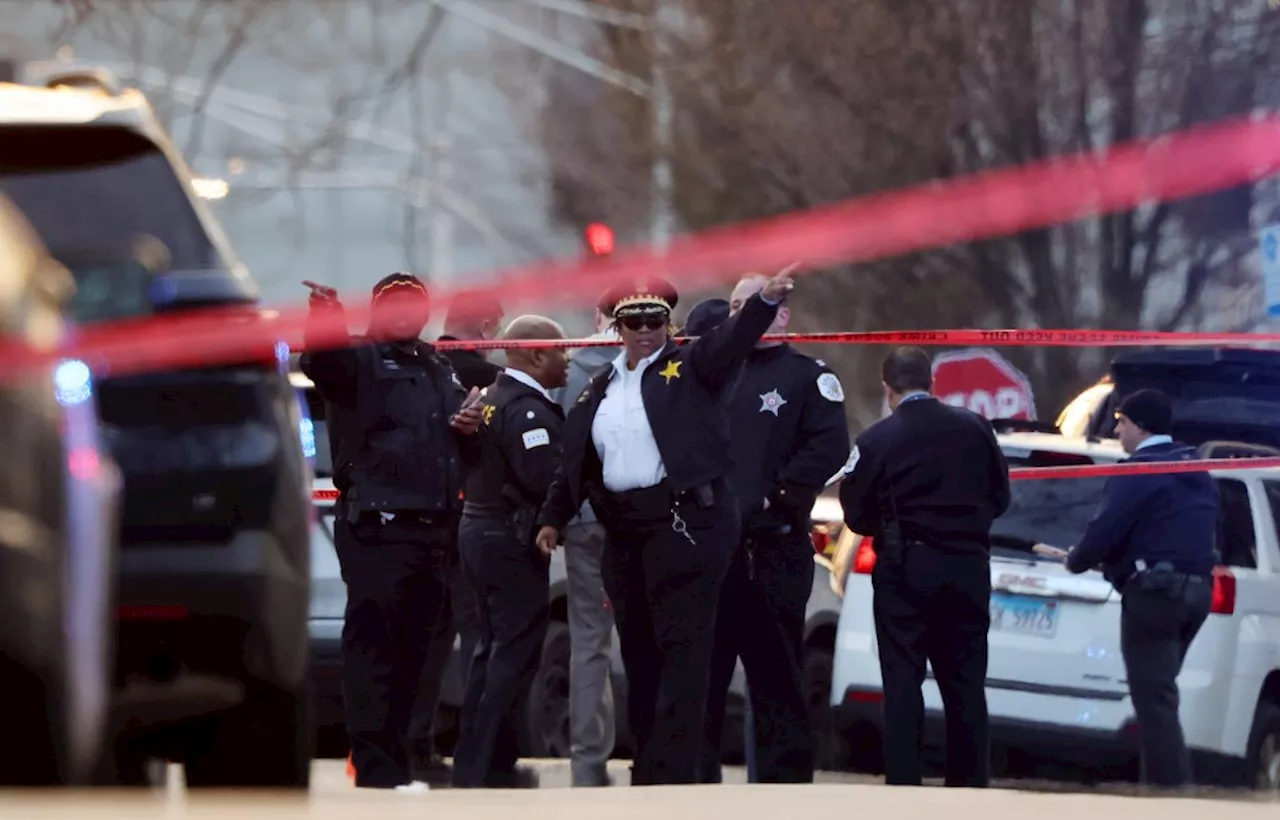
{"type": "Point", "coordinates": [934, 468]}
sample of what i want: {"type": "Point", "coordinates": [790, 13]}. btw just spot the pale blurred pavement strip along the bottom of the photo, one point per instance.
{"type": "Point", "coordinates": [835, 796]}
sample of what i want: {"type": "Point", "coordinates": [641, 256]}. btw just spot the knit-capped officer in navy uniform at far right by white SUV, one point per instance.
{"type": "Point", "coordinates": [1154, 538]}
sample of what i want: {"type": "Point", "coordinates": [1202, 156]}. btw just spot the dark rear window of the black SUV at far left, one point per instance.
{"type": "Point", "coordinates": [102, 189]}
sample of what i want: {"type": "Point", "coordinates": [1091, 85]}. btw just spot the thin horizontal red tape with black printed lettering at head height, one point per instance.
{"type": "Point", "coordinates": [957, 338]}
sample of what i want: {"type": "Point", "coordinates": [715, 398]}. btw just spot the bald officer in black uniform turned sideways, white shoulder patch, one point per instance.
{"type": "Point", "coordinates": [509, 576]}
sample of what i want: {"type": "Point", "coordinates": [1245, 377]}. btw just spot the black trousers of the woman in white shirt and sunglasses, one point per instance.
{"type": "Point", "coordinates": [665, 589]}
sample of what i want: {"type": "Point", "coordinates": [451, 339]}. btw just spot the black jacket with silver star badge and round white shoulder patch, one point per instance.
{"type": "Point", "coordinates": [790, 436]}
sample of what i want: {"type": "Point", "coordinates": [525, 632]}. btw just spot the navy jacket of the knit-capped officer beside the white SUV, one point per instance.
{"type": "Point", "coordinates": [1163, 517]}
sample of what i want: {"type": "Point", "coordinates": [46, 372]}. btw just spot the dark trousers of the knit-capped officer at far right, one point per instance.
{"type": "Point", "coordinates": [1158, 627]}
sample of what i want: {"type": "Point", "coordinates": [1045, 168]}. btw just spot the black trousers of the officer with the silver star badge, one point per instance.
{"type": "Point", "coordinates": [761, 620]}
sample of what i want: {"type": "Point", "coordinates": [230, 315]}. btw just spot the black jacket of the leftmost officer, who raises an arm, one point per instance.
{"type": "Point", "coordinates": [388, 409]}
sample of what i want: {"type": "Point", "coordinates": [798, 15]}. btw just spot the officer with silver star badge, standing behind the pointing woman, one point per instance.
{"type": "Point", "coordinates": [790, 437]}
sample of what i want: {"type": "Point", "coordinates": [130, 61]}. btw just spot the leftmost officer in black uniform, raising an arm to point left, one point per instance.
{"type": "Point", "coordinates": [399, 470]}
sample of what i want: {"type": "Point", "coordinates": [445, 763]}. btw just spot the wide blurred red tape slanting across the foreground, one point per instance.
{"type": "Point", "coordinates": [938, 214]}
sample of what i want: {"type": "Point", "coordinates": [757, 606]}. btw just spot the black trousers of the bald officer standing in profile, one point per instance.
{"type": "Point", "coordinates": [510, 580]}
